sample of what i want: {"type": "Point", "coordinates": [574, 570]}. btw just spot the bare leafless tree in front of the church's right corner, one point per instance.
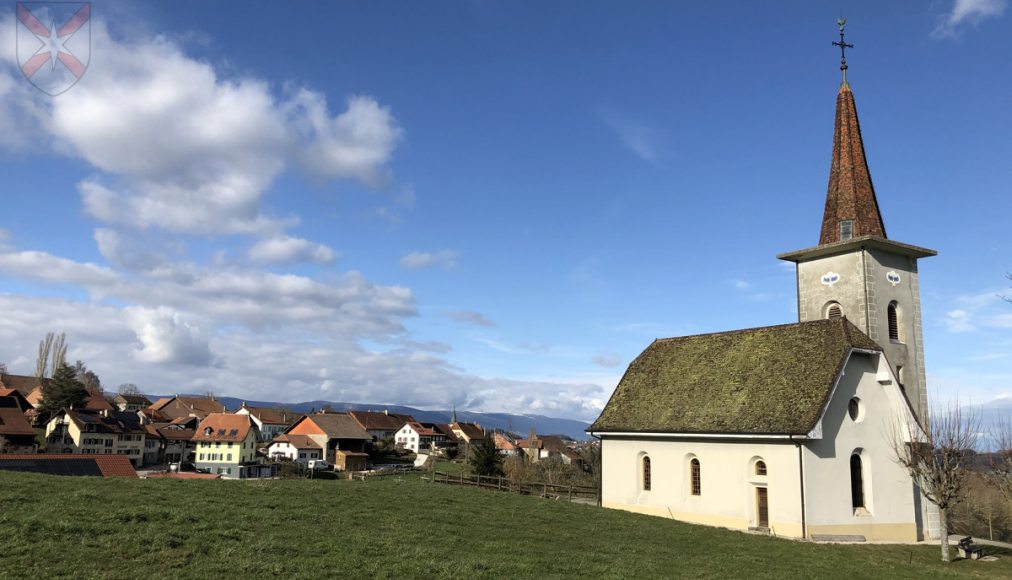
{"type": "Point", "coordinates": [940, 459]}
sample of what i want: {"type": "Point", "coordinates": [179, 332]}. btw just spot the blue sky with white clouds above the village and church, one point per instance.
{"type": "Point", "coordinates": [489, 205]}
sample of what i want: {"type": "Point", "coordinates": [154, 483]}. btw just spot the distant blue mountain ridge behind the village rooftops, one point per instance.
{"type": "Point", "coordinates": [518, 424]}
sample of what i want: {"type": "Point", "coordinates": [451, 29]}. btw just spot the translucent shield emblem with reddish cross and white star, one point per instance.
{"type": "Point", "coordinates": [54, 44]}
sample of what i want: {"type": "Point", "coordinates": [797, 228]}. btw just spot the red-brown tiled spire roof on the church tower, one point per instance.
{"type": "Point", "coordinates": [851, 196]}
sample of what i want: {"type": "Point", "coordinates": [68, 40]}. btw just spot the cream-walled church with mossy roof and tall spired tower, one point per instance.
{"type": "Point", "coordinates": [790, 430]}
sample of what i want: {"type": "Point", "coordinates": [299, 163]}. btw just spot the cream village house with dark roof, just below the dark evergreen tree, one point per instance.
{"type": "Point", "coordinates": [97, 433]}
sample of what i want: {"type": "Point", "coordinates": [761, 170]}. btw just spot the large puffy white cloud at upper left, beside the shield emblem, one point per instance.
{"type": "Point", "coordinates": [182, 147]}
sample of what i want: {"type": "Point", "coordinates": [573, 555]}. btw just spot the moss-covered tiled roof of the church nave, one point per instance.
{"type": "Point", "coordinates": [762, 381]}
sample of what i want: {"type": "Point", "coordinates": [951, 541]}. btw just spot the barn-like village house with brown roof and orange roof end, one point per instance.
{"type": "Point", "coordinates": [344, 442]}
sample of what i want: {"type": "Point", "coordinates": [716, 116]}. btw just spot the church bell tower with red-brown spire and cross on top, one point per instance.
{"type": "Point", "coordinates": [857, 271]}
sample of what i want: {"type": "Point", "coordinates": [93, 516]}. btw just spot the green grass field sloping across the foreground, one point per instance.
{"type": "Point", "coordinates": [55, 527]}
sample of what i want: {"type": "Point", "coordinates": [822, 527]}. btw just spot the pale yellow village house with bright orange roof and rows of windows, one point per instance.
{"type": "Point", "coordinates": [226, 445]}
